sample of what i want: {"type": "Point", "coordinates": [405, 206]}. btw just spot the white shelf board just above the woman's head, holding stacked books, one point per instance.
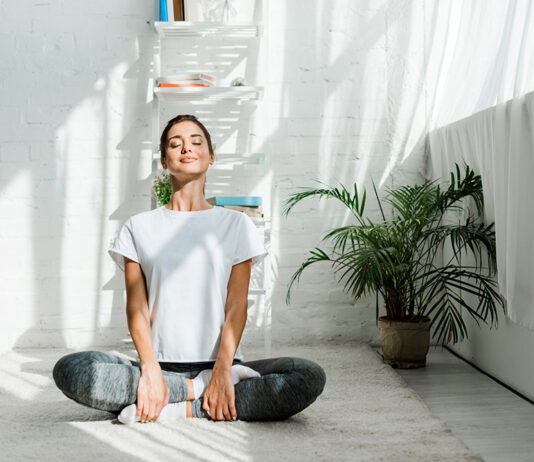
{"type": "Point", "coordinates": [209, 93]}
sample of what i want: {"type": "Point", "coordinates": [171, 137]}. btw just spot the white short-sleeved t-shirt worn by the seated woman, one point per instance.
{"type": "Point", "coordinates": [187, 258]}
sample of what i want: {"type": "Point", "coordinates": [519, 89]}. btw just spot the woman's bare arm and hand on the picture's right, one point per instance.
{"type": "Point", "coordinates": [219, 397]}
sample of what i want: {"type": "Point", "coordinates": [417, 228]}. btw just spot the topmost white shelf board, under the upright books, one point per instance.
{"type": "Point", "coordinates": [185, 29]}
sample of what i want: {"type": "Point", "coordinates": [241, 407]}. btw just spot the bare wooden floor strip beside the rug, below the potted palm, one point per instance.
{"type": "Point", "coordinates": [492, 420]}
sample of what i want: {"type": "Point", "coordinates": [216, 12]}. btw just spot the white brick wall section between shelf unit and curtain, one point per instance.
{"type": "Point", "coordinates": [347, 102]}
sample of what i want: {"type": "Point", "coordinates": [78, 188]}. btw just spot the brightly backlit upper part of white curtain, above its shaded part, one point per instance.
{"type": "Point", "coordinates": [479, 54]}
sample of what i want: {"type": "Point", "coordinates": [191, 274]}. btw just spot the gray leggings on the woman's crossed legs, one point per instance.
{"type": "Point", "coordinates": [287, 385]}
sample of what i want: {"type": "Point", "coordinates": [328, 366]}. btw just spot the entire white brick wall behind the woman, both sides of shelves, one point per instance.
{"type": "Point", "coordinates": [75, 152]}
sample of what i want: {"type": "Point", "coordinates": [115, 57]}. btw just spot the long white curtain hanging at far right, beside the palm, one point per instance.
{"type": "Point", "coordinates": [480, 82]}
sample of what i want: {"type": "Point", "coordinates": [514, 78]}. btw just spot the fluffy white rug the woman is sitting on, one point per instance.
{"type": "Point", "coordinates": [365, 413]}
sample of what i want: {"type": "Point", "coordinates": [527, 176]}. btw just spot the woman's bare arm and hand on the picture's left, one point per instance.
{"type": "Point", "coordinates": [152, 390]}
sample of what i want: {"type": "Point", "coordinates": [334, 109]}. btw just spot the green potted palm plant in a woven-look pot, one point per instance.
{"type": "Point", "coordinates": [395, 259]}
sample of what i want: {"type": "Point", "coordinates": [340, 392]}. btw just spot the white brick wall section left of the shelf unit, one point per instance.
{"type": "Point", "coordinates": [73, 120]}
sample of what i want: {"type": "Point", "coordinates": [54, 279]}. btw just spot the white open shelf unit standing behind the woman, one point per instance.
{"type": "Point", "coordinates": [238, 95]}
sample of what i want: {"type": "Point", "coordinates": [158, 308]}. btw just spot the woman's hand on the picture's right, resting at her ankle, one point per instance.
{"type": "Point", "coordinates": [219, 396]}
